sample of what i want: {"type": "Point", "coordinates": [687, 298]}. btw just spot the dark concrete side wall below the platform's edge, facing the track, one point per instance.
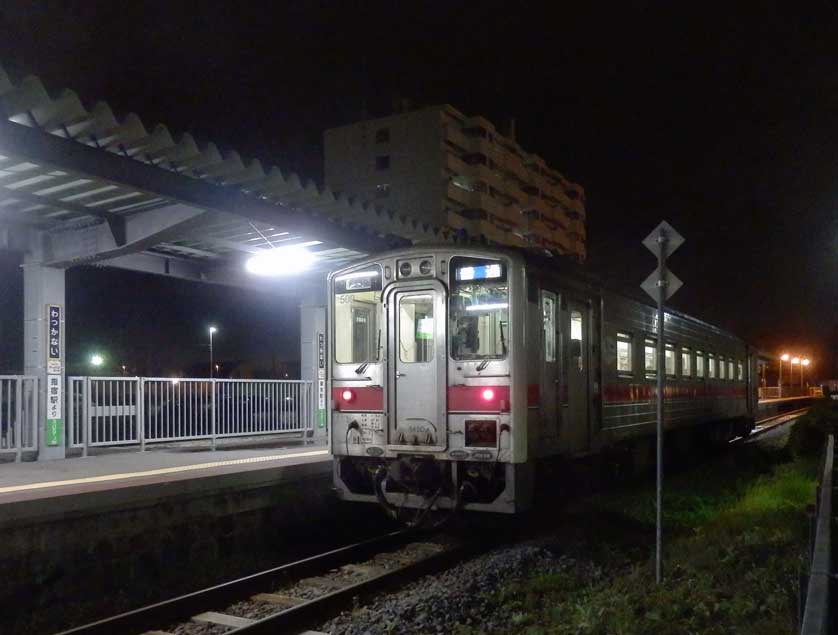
{"type": "Point", "coordinates": [66, 560]}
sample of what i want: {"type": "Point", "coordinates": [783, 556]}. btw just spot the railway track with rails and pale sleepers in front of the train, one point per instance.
{"type": "Point", "coordinates": [295, 597]}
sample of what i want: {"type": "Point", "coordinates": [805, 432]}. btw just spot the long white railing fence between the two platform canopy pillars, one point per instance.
{"type": "Point", "coordinates": [113, 411]}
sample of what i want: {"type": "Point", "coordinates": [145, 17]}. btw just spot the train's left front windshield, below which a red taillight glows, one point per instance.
{"type": "Point", "coordinates": [358, 316]}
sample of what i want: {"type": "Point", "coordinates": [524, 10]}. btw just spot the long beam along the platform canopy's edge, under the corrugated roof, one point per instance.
{"type": "Point", "coordinates": [47, 149]}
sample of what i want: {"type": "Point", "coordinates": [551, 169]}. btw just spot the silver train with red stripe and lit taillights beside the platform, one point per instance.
{"type": "Point", "coordinates": [456, 372]}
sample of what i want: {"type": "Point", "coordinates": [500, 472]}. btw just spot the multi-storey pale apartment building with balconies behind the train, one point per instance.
{"type": "Point", "coordinates": [439, 165]}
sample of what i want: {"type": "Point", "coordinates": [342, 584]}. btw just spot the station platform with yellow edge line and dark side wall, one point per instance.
{"type": "Point", "coordinates": [82, 531]}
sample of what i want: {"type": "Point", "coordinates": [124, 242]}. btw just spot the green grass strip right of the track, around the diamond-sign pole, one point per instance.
{"type": "Point", "coordinates": [734, 534]}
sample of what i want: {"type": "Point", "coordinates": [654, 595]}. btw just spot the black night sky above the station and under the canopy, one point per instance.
{"type": "Point", "coordinates": [721, 119]}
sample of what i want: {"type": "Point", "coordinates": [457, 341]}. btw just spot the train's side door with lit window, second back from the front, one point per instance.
{"type": "Point", "coordinates": [576, 332]}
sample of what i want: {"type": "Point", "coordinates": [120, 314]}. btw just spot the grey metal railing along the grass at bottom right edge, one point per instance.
{"type": "Point", "coordinates": [816, 617]}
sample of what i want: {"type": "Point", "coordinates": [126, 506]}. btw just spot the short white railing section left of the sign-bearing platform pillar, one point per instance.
{"type": "Point", "coordinates": [18, 414]}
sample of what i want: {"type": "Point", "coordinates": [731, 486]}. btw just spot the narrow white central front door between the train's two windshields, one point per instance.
{"type": "Point", "coordinates": [417, 369]}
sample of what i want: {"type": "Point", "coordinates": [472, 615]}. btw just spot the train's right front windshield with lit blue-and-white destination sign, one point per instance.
{"type": "Point", "coordinates": [478, 309]}
